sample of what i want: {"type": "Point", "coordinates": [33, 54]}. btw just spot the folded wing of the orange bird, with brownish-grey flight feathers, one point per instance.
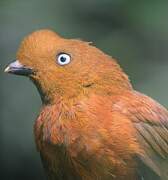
{"type": "Point", "coordinates": [150, 120]}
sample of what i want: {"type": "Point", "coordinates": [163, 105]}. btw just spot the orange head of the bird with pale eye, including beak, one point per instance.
{"type": "Point", "coordinates": [66, 67]}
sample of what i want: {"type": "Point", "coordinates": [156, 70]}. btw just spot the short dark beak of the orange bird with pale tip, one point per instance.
{"type": "Point", "coordinates": [17, 68]}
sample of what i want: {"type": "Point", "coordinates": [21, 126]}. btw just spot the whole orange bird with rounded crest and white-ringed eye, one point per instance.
{"type": "Point", "coordinates": [93, 125]}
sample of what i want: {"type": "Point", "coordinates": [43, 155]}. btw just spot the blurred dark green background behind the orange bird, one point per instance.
{"type": "Point", "coordinates": [135, 32]}
